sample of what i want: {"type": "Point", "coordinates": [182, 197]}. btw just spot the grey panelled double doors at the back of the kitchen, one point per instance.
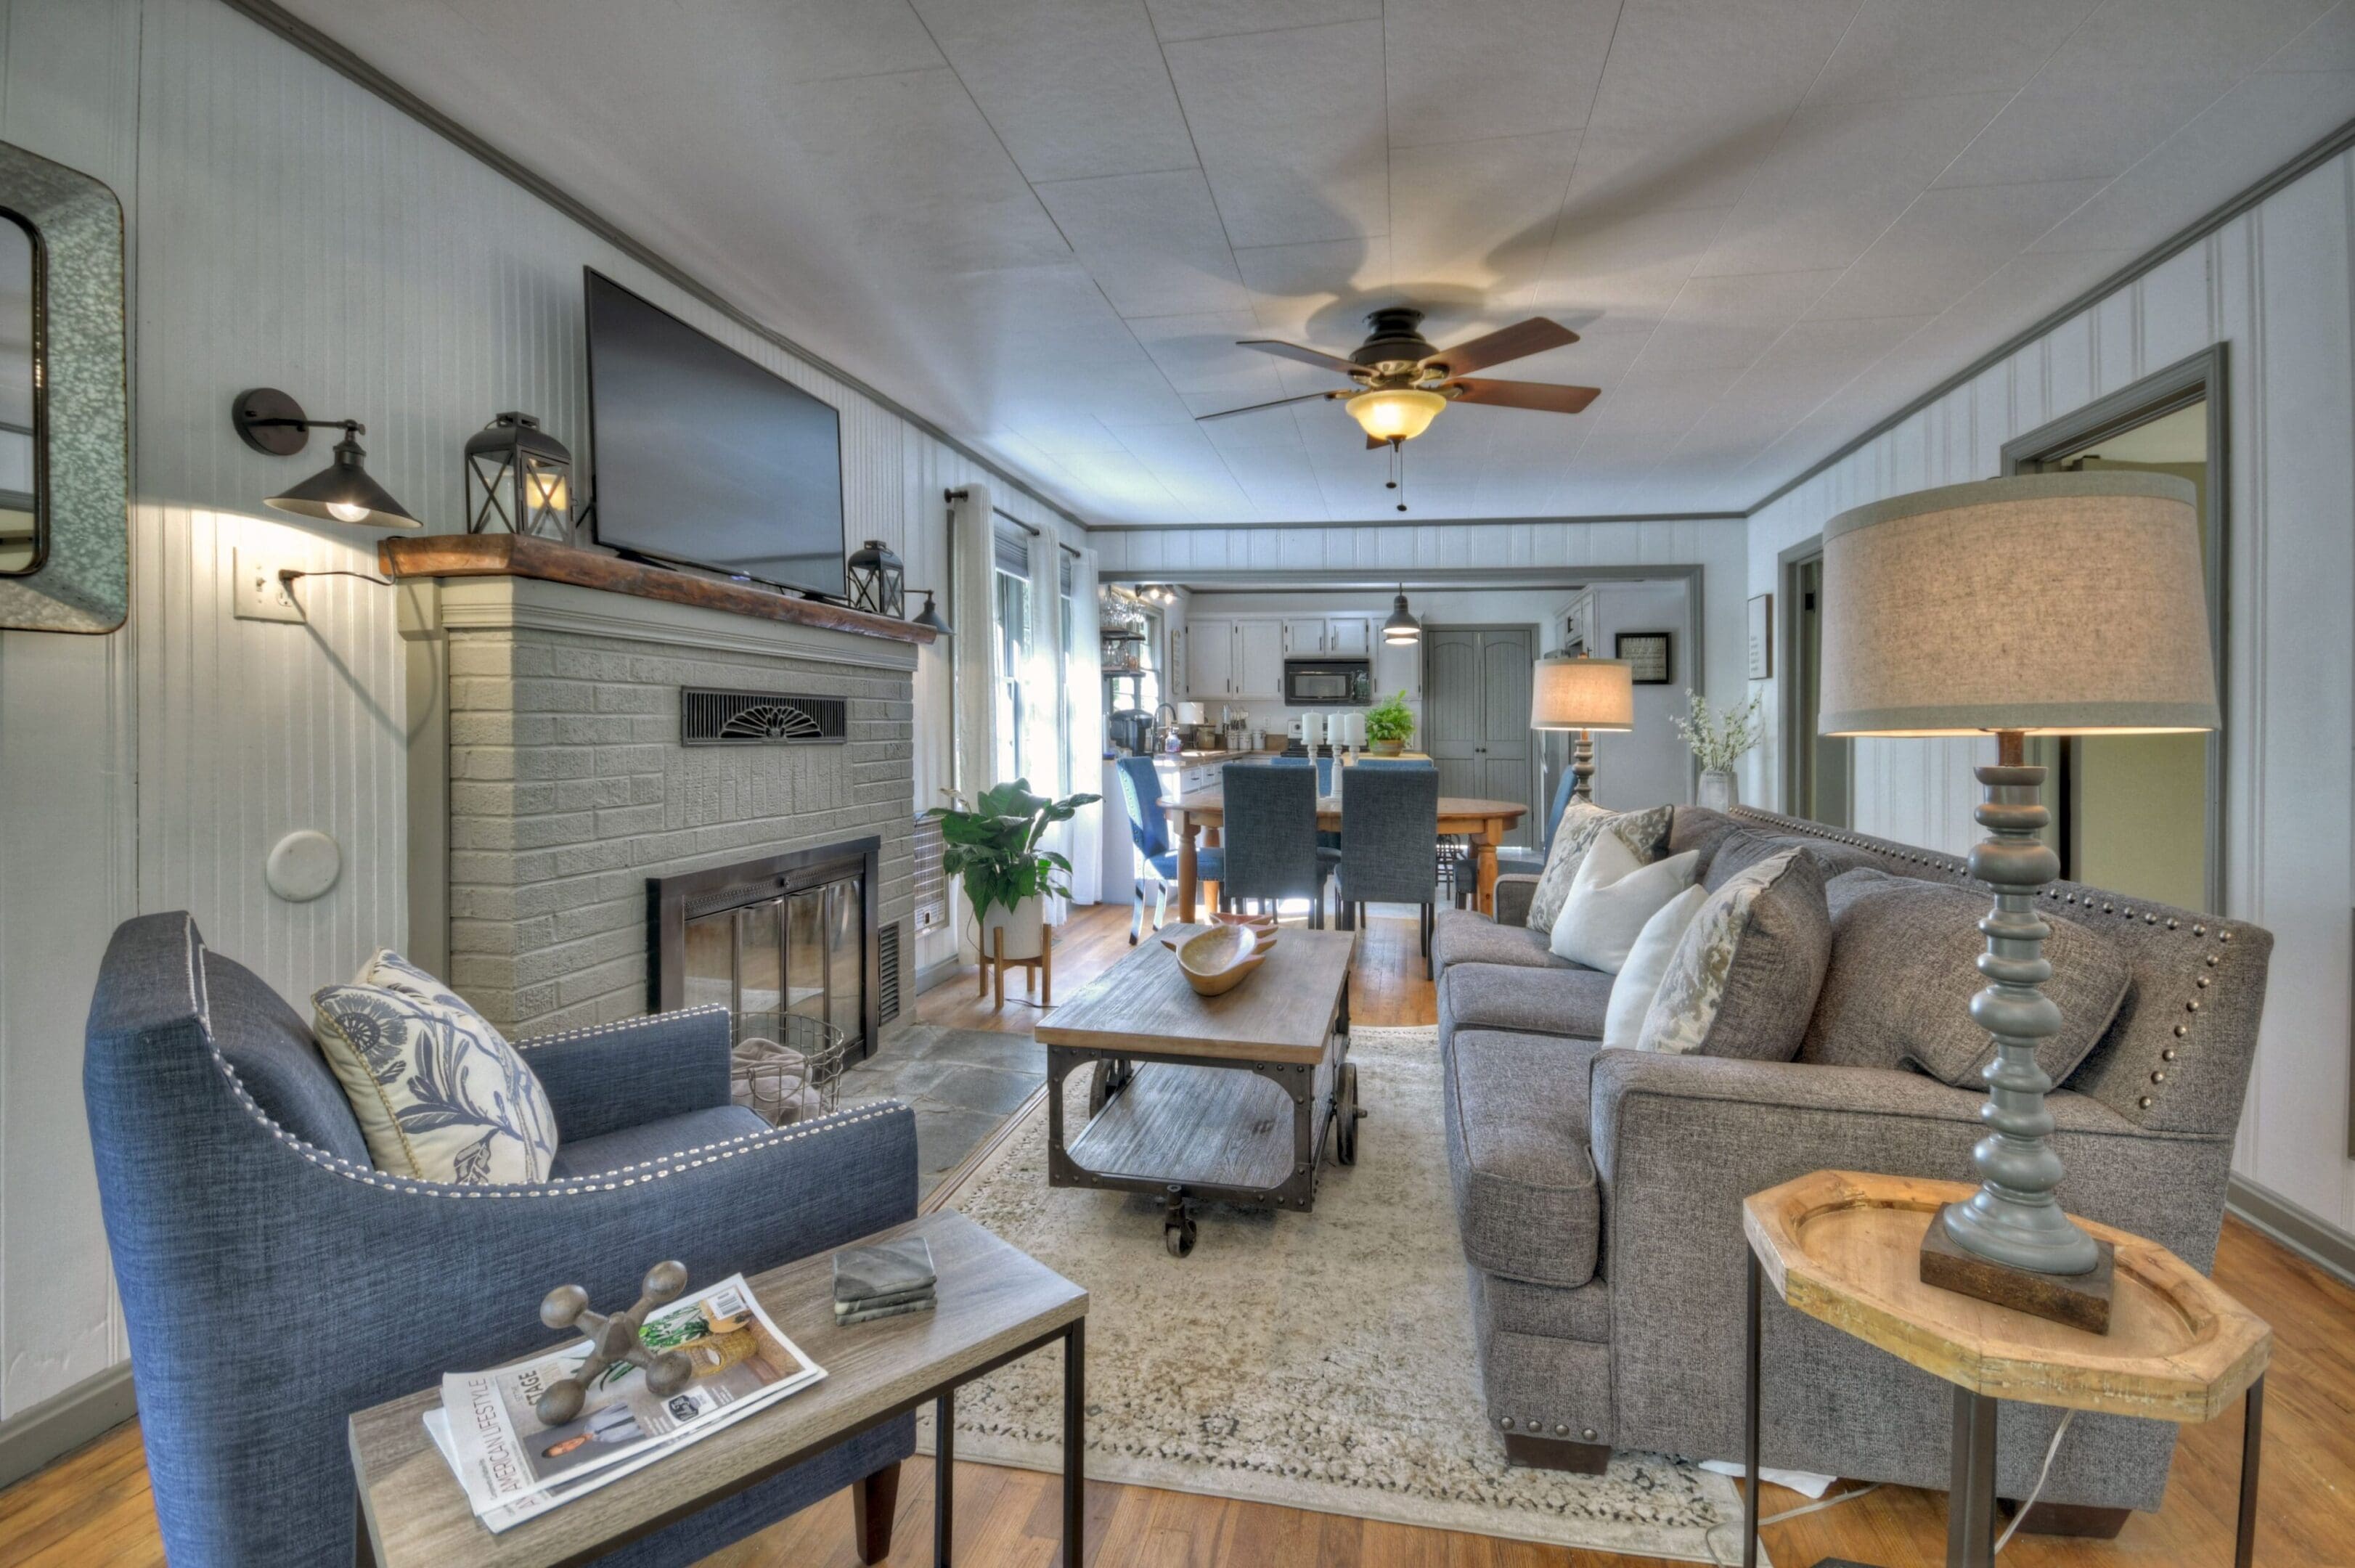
{"type": "Point", "coordinates": [1475, 715]}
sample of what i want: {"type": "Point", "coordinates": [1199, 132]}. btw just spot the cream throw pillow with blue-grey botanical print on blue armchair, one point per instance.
{"type": "Point", "coordinates": [437, 1091]}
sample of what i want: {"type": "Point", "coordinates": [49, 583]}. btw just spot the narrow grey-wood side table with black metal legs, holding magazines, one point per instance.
{"type": "Point", "coordinates": [995, 1305]}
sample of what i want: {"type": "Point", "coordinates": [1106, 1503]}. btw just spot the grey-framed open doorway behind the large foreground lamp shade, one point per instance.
{"type": "Point", "coordinates": [2144, 813]}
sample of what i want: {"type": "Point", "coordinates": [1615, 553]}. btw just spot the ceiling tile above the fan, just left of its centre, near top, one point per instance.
{"type": "Point", "coordinates": [1292, 131]}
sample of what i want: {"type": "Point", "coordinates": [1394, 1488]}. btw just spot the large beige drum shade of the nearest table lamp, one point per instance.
{"type": "Point", "coordinates": [2055, 604]}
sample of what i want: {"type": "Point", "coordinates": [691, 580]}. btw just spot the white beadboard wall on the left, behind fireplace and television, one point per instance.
{"type": "Point", "coordinates": [286, 230]}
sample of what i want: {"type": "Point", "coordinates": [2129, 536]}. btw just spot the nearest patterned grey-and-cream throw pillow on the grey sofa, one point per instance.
{"type": "Point", "coordinates": [1746, 974]}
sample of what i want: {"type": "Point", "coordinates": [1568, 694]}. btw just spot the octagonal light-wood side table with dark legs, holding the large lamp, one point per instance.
{"type": "Point", "coordinates": [1845, 1249]}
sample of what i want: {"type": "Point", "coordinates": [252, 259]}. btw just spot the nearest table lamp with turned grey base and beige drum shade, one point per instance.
{"type": "Point", "coordinates": [2052, 604]}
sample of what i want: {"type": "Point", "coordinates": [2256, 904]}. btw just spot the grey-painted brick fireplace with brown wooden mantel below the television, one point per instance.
{"type": "Point", "coordinates": [599, 733]}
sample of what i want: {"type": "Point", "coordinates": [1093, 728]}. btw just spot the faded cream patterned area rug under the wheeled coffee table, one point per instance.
{"type": "Point", "coordinates": [1320, 1362]}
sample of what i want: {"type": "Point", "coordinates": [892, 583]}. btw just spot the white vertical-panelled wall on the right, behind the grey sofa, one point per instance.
{"type": "Point", "coordinates": [2274, 286]}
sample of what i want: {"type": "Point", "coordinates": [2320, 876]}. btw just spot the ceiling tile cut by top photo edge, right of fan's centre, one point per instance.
{"type": "Point", "coordinates": [1471, 69]}
